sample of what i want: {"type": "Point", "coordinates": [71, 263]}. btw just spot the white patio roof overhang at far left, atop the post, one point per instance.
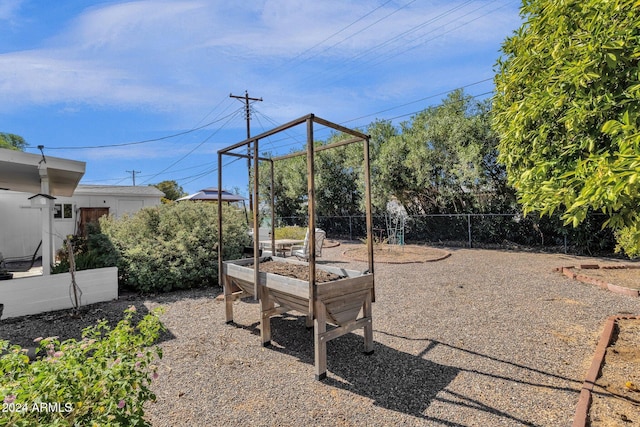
{"type": "Point", "coordinates": [20, 171]}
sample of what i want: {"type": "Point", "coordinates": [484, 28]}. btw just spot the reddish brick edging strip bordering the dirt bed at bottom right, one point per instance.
{"type": "Point", "coordinates": [581, 416]}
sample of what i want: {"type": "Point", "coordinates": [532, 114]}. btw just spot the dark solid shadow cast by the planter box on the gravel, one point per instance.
{"type": "Point", "coordinates": [392, 379]}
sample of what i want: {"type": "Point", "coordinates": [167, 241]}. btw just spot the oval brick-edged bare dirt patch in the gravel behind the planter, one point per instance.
{"type": "Point", "coordinates": [397, 254]}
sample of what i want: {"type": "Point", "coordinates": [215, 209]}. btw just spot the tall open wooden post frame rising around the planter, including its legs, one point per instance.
{"type": "Point", "coordinates": [316, 307]}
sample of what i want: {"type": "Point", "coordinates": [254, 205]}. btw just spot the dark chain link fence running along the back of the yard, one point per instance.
{"type": "Point", "coordinates": [475, 230]}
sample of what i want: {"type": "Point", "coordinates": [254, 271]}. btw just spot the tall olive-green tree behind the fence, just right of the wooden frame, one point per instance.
{"type": "Point", "coordinates": [441, 160]}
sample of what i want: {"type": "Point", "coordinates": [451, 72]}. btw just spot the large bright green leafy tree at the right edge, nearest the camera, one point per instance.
{"type": "Point", "coordinates": [568, 113]}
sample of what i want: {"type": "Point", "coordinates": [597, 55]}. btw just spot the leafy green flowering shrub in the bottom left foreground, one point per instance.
{"type": "Point", "coordinates": [102, 379]}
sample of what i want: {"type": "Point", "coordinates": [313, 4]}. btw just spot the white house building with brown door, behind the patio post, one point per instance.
{"type": "Point", "coordinates": [20, 232]}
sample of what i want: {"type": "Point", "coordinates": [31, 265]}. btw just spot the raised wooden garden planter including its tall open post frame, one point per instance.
{"type": "Point", "coordinates": [345, 302]}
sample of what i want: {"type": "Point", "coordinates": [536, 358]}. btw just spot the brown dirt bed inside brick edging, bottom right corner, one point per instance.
{"type": "Point", "coordinates": [616, 394]}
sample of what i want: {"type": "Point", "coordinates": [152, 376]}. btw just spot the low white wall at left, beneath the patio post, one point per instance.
{"type": "Point", "coordinates": [39, 294]}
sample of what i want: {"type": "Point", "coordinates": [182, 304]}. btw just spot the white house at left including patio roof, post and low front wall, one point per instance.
{"type": "Point", "coordinates": [38, 204]}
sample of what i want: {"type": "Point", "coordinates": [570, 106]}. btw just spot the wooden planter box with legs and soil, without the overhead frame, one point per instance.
{"type": "Point", "coordinates": [341, 305]}
